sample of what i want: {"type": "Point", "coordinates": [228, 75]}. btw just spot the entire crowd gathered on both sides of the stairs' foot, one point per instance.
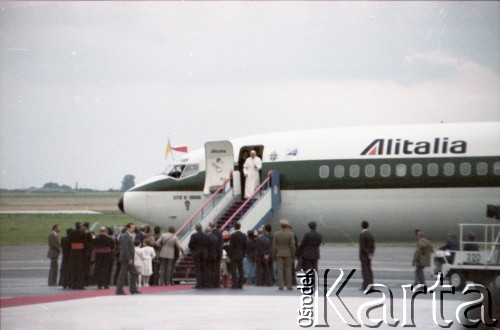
{"type": "Point", "coordinates": [221, 259]}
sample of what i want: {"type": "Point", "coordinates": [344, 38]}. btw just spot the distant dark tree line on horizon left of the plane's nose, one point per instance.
{"type": "Point", "coordinates": [53, 187]}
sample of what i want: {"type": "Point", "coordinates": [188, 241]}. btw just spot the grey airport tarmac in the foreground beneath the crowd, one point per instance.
{"type": "Point", "coordinates": [28, 303]}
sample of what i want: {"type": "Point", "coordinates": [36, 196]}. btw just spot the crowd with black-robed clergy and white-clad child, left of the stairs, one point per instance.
{"type": "Point", "coordinates": [95, 259]}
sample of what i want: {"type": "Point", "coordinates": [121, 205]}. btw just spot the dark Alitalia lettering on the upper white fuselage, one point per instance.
{"type": "Point", "coordinates": [381, 147]}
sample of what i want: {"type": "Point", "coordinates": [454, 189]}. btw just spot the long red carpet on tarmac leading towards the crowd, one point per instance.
{"type": "Point", "coordinates": [89, 293]}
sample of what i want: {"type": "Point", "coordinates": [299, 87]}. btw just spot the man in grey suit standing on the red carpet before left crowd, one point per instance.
{"type": "Point", "coordinates": [126, 258]}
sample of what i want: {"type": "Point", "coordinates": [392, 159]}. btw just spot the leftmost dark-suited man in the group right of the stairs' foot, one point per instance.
{"type": "Point", "coordinates": [198, 246]}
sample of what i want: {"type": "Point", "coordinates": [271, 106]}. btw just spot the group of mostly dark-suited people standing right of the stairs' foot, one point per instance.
{"type": "Point", "coordinates": [260, 257]}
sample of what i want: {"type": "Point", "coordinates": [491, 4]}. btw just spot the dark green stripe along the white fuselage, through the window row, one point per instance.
{"type": "Point", "coordinates": [305, 175]}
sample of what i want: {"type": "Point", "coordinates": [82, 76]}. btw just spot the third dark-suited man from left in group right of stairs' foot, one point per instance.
{"type": "Point", "coordinates": [238, 243]}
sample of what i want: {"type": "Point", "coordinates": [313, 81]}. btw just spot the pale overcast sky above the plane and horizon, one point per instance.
{"type": "Point", "coordinates": [91, 91]}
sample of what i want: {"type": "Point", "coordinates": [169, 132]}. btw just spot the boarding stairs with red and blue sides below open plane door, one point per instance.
{"type": "Point", "coordinates": [251, 213]}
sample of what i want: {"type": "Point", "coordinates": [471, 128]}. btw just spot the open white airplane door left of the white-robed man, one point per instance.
{"type": "Point", "coordinates": [219, 164]}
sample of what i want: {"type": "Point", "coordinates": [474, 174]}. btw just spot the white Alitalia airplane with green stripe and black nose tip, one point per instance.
{"type": "Point", "coordinates": [398, 178]}
